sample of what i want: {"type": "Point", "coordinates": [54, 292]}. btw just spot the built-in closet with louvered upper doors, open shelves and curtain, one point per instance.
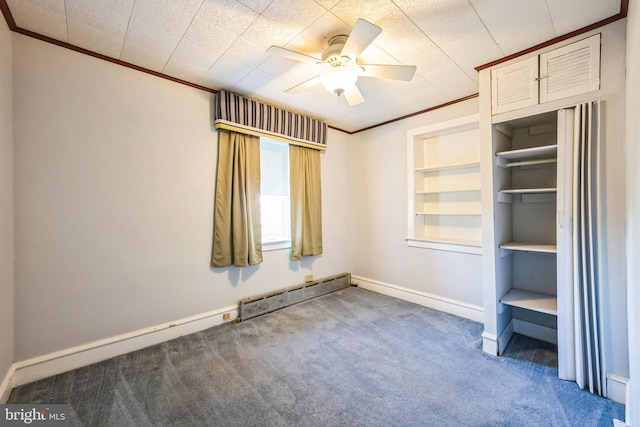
{"type": "Point", "coordinates": [590, 329]}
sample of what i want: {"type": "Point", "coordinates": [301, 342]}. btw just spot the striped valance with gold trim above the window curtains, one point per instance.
{"type": "Point", "coordinates": [242, 114]}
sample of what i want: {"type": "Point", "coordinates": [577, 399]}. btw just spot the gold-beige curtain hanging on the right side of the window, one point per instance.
{"type": "Point", "coordinates": [306, 202]}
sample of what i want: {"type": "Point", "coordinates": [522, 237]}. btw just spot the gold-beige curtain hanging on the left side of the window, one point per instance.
{"type": "Point", "coordinates": [237, 236]}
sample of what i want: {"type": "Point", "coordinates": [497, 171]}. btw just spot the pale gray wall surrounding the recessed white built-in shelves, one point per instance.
{"type": "Point", "coordinates": [379, 192]}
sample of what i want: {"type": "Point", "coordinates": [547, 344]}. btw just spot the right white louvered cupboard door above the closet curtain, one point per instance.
{"type": "Point", "coordinates": [570, 70]}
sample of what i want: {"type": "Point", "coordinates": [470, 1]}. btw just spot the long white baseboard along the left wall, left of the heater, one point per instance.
{"type": "Point", "coordinates": [40, 367]}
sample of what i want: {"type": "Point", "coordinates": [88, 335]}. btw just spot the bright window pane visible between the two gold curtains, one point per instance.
{"type": "Point", "coordinates": [274, 194]}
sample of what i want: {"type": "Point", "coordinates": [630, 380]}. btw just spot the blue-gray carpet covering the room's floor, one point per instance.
{"type": "Point", "coordinates": [350, 358]}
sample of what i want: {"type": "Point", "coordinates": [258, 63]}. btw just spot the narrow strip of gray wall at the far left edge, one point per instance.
{"type": "Point", "coordinates": [6, 203]}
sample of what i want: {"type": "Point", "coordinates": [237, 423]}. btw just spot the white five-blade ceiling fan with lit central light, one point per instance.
{"type": "Point", "coordinates": [339, 67]}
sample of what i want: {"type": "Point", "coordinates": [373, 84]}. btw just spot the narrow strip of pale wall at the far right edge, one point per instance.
{"type": "Point", "coordinates": [633, 207]}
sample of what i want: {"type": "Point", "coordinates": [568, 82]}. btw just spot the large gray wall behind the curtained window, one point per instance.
{"type": "Point", "coordinates": [114, 182]}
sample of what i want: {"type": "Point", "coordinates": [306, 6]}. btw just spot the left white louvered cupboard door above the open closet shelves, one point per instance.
{"type": "Point", "coordinates": [514, 86]}
